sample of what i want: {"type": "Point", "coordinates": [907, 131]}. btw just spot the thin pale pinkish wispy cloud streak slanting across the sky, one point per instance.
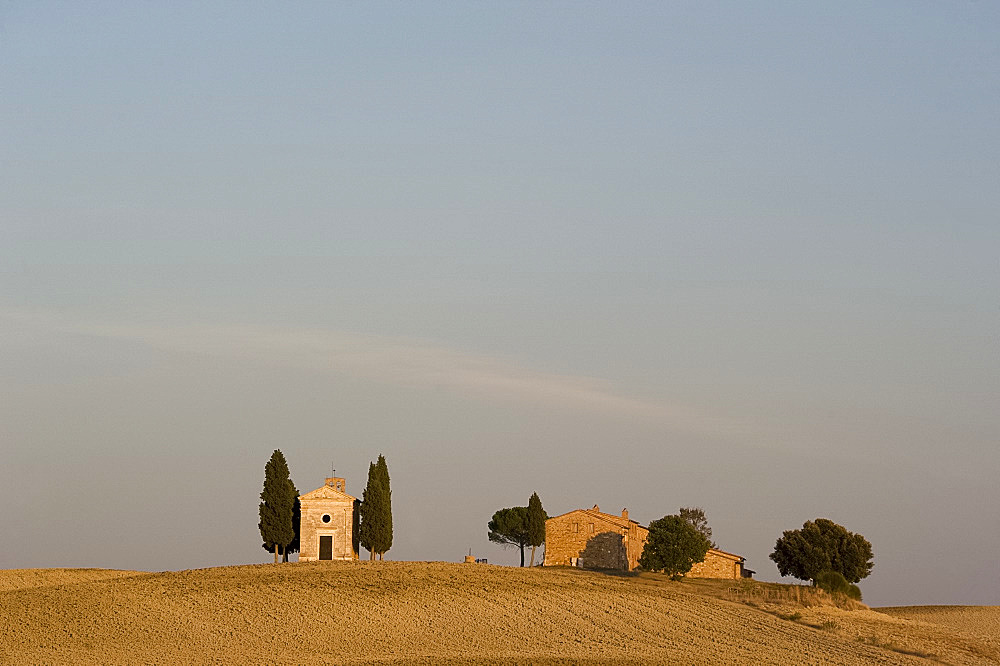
{"type": "Point", "coordinates": [391, 360]}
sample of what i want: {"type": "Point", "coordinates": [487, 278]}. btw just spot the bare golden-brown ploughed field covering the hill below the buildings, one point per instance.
{"type": "Point", "coordinates": [351, 612]}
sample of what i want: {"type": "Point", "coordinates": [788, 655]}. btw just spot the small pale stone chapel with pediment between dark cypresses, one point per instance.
{"type": "Point", "coordinates": [328, 529]}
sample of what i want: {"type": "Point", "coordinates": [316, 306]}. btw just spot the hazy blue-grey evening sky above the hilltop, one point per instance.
{"type": "Point", "coordinates": [741, 256]}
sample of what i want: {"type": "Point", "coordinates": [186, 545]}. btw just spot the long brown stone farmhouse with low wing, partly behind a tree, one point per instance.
{"type": "Point", "coordinates": [593, 539]}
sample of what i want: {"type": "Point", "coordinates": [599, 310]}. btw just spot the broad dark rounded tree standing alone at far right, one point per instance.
{"type": "Point", "coordinates": [823, 545]}
